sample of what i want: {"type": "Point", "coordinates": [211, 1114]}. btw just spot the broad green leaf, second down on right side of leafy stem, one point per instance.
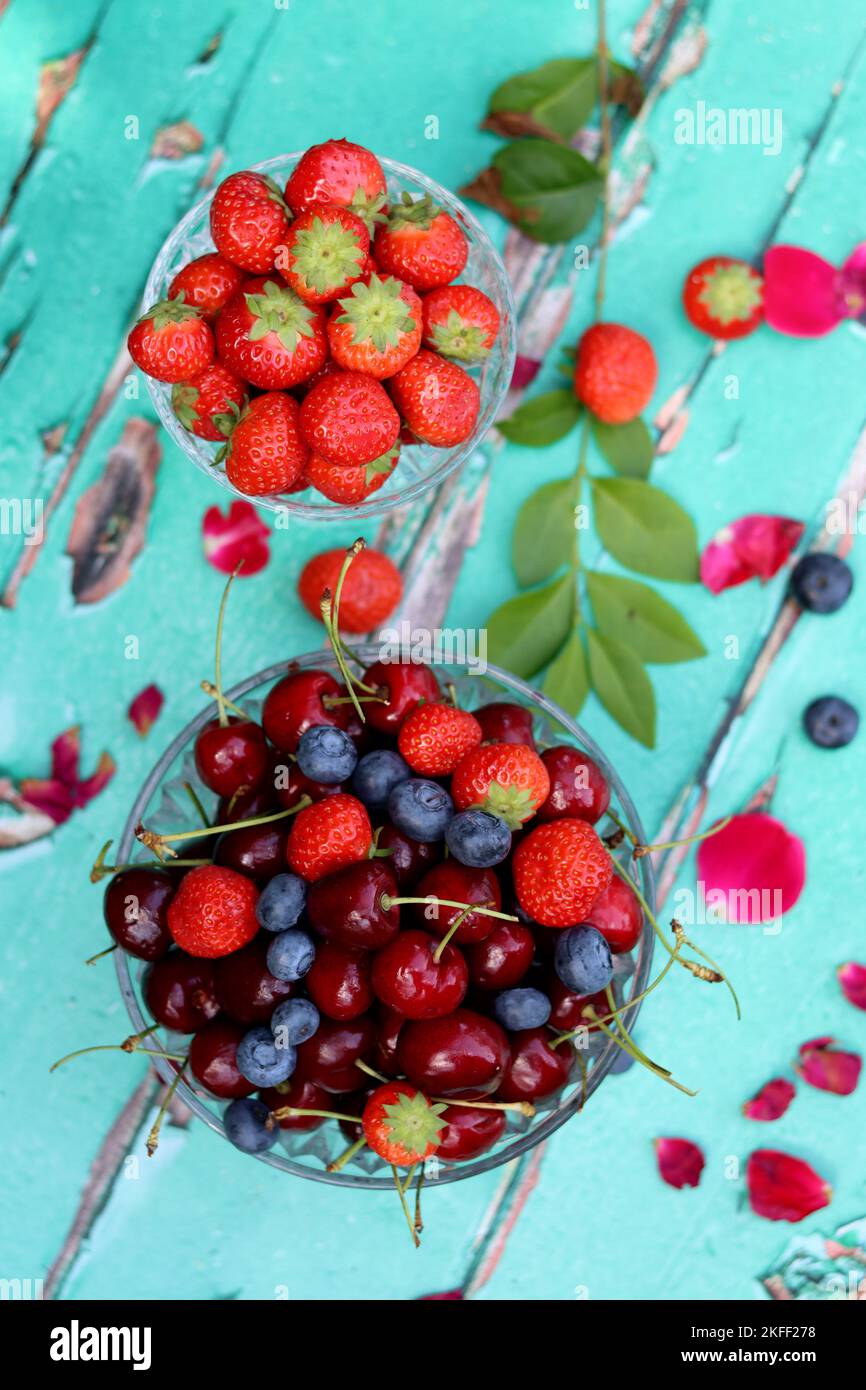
{"type": "Point", "coordinates": [646, 530]}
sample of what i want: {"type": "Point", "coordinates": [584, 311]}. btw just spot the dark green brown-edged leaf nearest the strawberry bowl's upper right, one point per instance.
{"type": "Point", "coordinates": [554, 190]}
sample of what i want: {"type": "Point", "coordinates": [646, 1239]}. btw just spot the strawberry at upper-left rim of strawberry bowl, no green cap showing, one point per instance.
{"type": "Point", "coordinates": [250, 220]}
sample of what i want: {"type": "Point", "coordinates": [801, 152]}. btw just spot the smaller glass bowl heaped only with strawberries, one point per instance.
{"type": "Point", "coordinates": [327, 333]}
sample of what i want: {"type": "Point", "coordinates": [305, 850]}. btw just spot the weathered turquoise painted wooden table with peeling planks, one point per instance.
{"type": "Point", "coordinates": [91, 193]}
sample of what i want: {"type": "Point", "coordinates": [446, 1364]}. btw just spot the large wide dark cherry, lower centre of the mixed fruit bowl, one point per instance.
{"type": "Point", "coordinates": [465, 1054]}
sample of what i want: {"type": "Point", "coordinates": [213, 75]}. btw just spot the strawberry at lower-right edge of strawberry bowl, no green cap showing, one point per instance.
{"type": "Point", "coordinates": [437, 400]}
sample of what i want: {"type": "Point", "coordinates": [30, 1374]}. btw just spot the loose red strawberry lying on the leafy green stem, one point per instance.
{"type": "Point", "coordinates": [615, 373]}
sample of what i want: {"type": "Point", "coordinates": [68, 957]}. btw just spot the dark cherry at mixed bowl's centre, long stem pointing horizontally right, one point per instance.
{"type": "Point", "coordinates": [347, 907]}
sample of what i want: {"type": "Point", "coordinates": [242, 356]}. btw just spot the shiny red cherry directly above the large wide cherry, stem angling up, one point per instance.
{"type": "Point", "coordinates": [408, 979]}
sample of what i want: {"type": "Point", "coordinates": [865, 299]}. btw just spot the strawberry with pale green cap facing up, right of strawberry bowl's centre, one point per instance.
{"type": "Point", "coordinates": [379, 329]}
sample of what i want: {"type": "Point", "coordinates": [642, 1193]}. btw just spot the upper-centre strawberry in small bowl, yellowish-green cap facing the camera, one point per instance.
{"type": "Point", "coordinates": [326, 252]}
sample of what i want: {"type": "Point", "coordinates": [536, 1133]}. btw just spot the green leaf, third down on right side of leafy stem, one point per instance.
{"type": "Point", "coordinates": [642, 619]}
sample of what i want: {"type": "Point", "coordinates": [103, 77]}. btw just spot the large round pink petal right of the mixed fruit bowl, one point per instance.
{"type": "Point", "coordinates": [753, 869]}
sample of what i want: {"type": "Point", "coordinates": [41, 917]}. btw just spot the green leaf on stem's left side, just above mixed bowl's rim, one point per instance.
{"type": "Point", "coordinates": [528, 632]}
